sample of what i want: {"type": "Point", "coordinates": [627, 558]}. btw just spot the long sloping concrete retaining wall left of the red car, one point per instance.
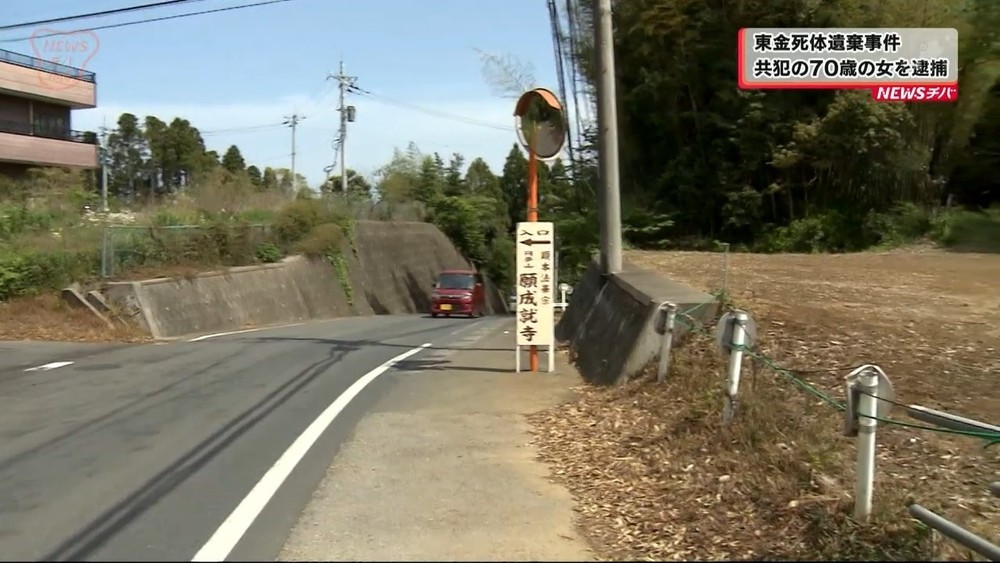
{"type": "Point", "coordinates": [390, 269]}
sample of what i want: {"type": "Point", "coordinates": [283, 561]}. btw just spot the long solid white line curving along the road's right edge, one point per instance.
{"type": "Point", "coordinates": [222, 542]}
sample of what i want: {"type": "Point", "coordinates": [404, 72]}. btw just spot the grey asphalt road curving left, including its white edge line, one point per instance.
{"type": "Point", "coordinates": [142, 452]}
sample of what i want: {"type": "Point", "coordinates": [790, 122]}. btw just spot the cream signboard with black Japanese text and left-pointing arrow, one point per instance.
{"type": "Point", "coordinates": [535, 277]}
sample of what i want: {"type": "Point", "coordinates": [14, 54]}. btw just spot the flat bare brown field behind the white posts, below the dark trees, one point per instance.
{"type": "Point", "coordinates": [929, 319]}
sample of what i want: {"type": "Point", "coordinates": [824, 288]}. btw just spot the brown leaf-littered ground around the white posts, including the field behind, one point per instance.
{"type": "Point", "coordinates": [658, 477]}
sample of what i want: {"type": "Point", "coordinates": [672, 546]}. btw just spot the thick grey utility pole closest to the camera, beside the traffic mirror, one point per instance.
{"type": "Point", "coordinates": [607, 125]}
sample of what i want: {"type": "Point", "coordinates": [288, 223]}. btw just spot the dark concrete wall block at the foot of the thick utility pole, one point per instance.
{"type": "Point", "coordinates": [609, 321]}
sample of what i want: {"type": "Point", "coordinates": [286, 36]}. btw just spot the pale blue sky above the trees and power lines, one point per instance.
{"type": "Point", "coordinates": [250, 68]}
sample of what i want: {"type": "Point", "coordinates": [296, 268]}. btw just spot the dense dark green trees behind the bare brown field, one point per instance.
{"type": "Point", "coordinates": [700, 159]}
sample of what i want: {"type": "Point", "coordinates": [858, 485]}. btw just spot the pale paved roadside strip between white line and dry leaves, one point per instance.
{"type": "Point", "coordinates": [443, 468]}
